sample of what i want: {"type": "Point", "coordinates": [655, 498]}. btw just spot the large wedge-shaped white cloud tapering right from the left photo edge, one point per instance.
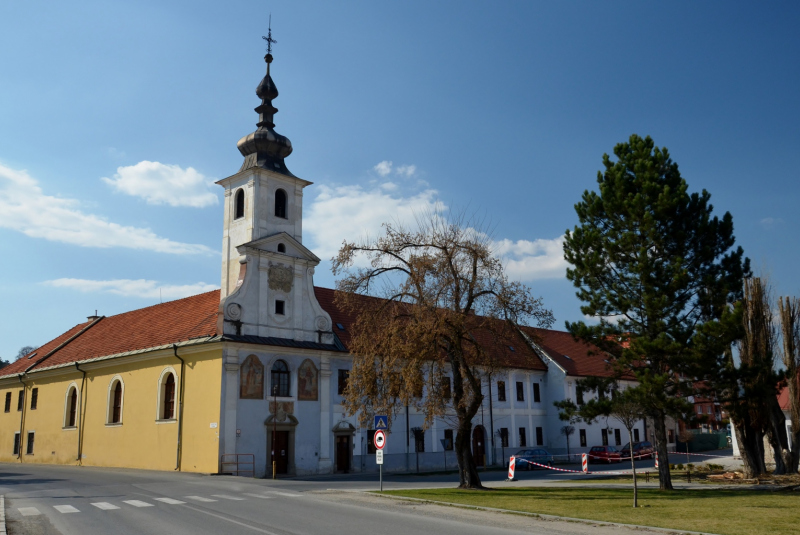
{"type": "Point", "coordinates": [25, 208]}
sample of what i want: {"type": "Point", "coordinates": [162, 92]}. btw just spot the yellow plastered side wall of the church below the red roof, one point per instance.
{"type": "Point", "coordinates": [141, 440]}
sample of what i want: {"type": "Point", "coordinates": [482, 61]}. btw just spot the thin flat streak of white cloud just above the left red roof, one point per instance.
{"type": "Point", "coordinates": [133, 288]}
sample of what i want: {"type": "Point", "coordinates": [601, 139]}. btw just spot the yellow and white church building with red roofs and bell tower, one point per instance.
{"type": "Point", "coordinates": [251, 376]}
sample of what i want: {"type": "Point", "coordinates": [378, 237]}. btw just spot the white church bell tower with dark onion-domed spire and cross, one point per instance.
{"type": "Point", "coordinates": [267, 274]}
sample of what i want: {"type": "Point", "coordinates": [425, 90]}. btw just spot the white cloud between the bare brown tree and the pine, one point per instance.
{"type": "Point", "coordinates": [527, 260]}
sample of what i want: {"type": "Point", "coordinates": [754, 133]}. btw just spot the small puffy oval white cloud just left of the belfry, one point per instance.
{"type": "Point", "coordinates": [159, 183]}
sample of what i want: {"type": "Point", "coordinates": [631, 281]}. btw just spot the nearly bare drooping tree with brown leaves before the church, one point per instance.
{"type": "Point", "coordinates": [446, 308]}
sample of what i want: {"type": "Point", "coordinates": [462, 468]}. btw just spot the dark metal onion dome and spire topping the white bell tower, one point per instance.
{"type": "Point", "coordinates": [266, 148]}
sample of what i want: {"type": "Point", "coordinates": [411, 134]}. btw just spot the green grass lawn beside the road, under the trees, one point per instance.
{"type": "Point", "coordinates": [727, 512]}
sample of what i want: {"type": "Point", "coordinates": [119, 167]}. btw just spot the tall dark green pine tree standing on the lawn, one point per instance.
{"type": "Point", "coordinates": [652, 263]}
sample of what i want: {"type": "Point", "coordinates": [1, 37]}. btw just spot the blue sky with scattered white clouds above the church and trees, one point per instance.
{"type": "Point", "coordinates": [117, 116]}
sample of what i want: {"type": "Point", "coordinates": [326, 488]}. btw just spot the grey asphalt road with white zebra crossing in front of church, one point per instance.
{"type": "Point", "coordinates": [68, 500]}
